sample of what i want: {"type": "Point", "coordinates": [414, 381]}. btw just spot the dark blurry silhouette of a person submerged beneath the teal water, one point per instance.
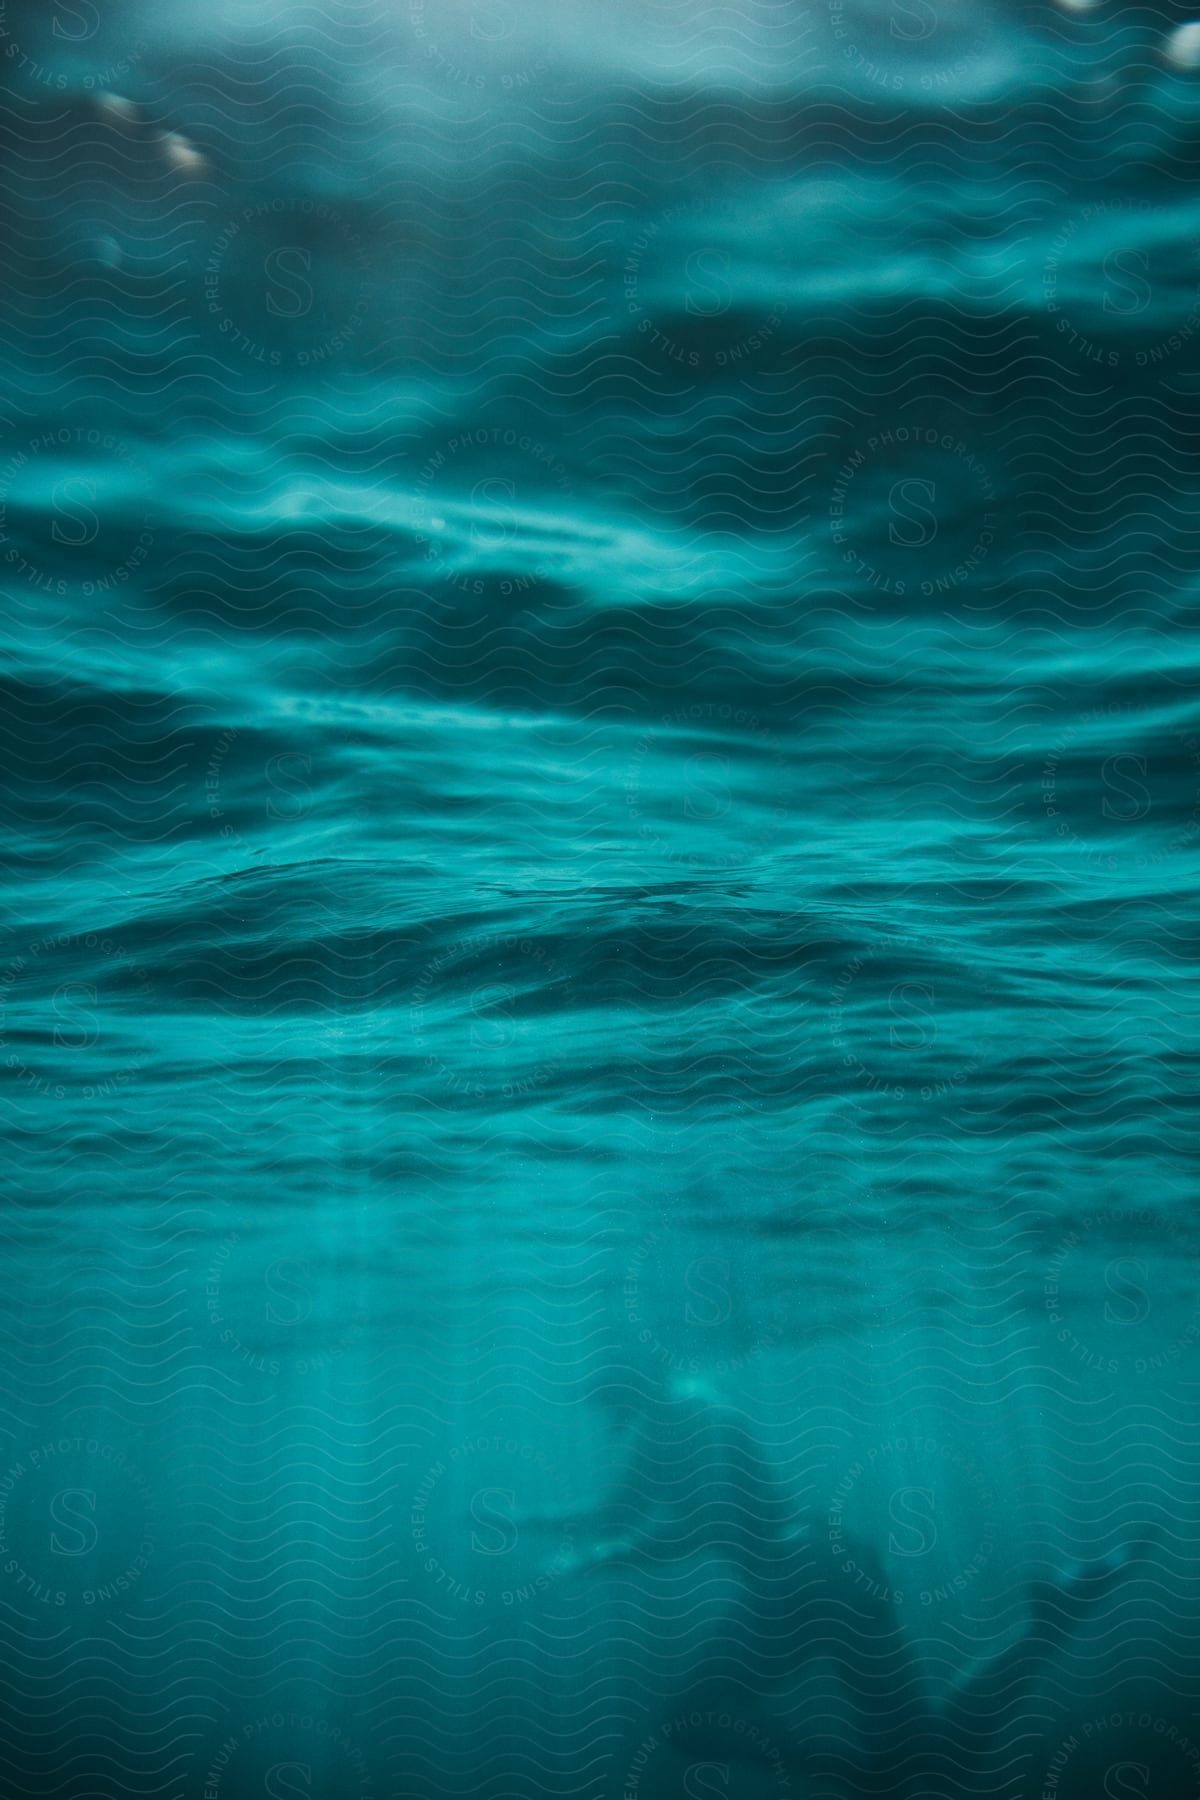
{"type": "Point", "coordinates": [699, 1500]}
